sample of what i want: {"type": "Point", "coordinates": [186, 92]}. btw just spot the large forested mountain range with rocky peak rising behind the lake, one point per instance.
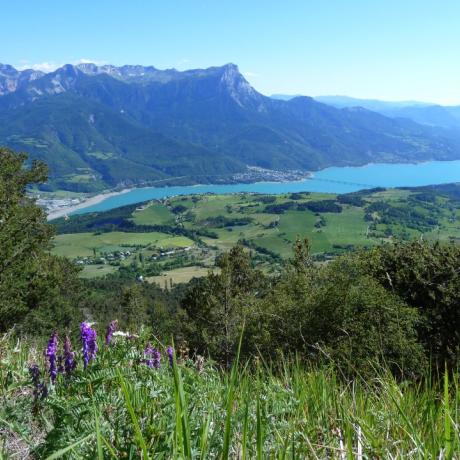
{"type": "Point", "coordinates": [102, 126]}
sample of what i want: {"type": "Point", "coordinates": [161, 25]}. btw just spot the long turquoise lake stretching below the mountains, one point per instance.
{"type": "Point", "coordinates": [332, 180]}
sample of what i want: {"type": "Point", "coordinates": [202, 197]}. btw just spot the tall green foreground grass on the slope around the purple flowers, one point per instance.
{"type": "Point", "coordinates": [120, 408]}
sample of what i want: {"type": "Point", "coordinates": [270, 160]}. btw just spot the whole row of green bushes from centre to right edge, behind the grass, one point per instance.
{"type": "Point", "coordinates": [396, 305]}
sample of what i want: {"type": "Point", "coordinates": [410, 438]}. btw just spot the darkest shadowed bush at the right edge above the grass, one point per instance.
{"type": "Point", "coordinates": [427, 277]}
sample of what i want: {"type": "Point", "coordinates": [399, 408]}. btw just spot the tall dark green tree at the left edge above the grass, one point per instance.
{"type": "Point", "coordinates": [36, 290]}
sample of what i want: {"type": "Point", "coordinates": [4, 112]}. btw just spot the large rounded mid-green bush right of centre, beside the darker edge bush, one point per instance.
{"type": "Point", "coordinates": [341, 313]}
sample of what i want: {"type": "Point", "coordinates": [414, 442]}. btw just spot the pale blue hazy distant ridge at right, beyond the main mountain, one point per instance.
{"type": "Point", "coordinates": [420, 112]}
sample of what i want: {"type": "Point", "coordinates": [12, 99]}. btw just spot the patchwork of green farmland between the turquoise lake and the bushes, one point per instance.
{"type": "Point", "coordinates": [178, 238]}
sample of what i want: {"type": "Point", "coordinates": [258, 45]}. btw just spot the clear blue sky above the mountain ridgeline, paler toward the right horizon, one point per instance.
{"type": "Point", "coordinates": [383, 49]}
